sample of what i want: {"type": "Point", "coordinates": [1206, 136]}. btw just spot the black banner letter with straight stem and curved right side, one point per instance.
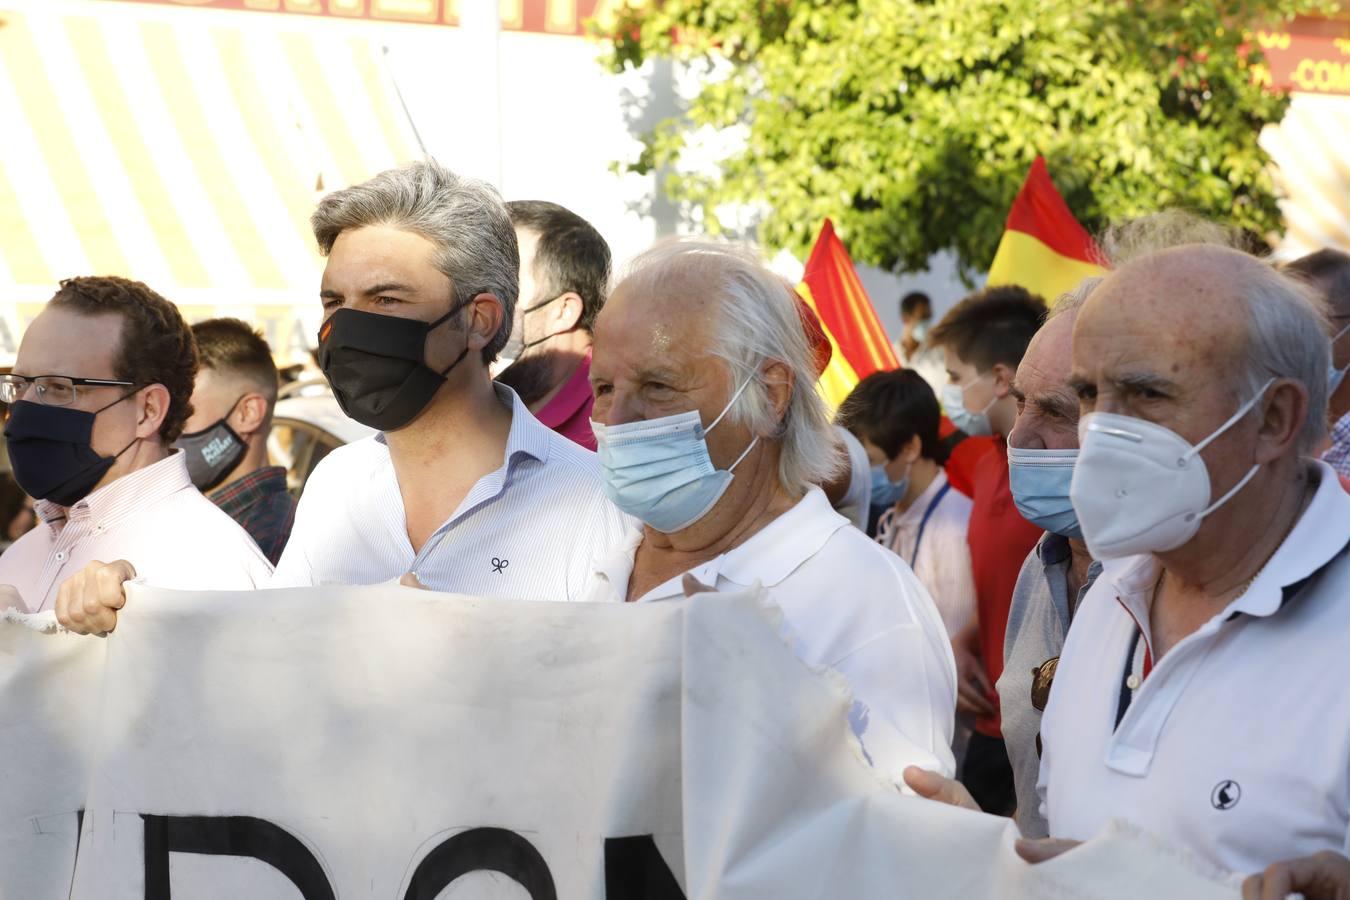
{"type": "Point", "coordinates": [238, 836]}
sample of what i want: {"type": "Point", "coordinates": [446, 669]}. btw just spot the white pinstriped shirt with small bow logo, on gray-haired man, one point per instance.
{"type": "Point", "coordinates": [526, 531]}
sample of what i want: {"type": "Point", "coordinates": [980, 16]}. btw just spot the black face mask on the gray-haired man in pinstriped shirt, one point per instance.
{"type": "Point", "coordinates": [377, 369]}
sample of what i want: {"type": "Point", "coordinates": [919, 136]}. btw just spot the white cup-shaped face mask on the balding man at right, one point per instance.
{"type": "Point", "coordinates": [1143, 489]}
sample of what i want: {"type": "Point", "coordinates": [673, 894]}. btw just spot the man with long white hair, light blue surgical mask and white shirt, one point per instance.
{"type": "Point", "coordinates": [712, 434]}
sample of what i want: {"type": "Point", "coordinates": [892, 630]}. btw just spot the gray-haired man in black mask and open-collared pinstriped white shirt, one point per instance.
{"type": "Point", "coordinates": [462, 490]}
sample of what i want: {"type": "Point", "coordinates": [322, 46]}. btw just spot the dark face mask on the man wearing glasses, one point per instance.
{"type": "Point", "coordinates": [51, 453]}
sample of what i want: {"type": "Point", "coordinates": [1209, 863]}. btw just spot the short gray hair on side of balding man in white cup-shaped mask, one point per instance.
{"type": "Point", "coordinates": [1287, 338]}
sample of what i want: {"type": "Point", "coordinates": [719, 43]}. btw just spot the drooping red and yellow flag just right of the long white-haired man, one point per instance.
{"type": "Point", "coordinates": [832, 289]}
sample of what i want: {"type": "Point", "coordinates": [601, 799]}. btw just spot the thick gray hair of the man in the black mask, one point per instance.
{"type": "Point", "coordinates": [466, 219]}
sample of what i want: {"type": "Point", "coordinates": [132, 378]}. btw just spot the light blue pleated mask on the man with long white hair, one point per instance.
{"type": "Point", "coordinates": [659, 472]}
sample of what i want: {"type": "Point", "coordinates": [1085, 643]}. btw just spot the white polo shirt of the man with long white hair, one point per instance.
{"type": "Point", "coordinates": [848, 605]}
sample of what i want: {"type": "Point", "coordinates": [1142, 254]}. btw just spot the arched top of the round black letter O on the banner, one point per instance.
{"type": "Point", "coordinates": [483, 851]}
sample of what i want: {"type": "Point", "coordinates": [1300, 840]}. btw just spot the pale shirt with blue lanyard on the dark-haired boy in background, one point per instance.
{"type": "Point", "coordinates": [942, 559]}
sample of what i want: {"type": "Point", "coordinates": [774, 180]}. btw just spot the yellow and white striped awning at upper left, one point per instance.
{"type": "Point", "coordinates": [186, 150]}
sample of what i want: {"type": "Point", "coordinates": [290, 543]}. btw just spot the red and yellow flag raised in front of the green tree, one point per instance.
{"type": "Point", "coordinates": [1044, 249]}
